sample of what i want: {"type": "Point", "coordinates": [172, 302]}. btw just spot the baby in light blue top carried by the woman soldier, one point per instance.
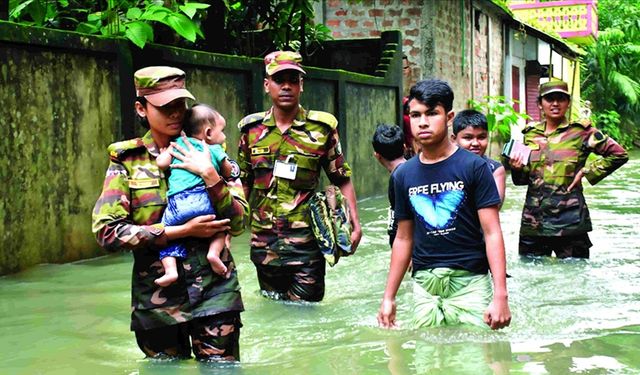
{"type": "Point", "coordinates": [187, 196]}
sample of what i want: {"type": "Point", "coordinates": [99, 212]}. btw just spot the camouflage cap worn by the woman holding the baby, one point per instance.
{"type": "Point", "coordinates": [161, 84]}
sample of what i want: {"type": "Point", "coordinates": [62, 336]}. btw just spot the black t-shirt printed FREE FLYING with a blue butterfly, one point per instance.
{"type": "Point", "coordinates": [443, 200]}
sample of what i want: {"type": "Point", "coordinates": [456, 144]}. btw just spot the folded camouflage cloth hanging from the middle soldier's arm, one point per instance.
{"type": "Point", "coordinates": [330, 223]}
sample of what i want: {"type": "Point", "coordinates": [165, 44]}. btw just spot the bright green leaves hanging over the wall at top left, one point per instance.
{"type": "Point", "coordinates": [133, 19]}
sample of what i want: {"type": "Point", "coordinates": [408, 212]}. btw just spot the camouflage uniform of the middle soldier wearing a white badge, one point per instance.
{"type": "Point", "coordinates": [282, 239]}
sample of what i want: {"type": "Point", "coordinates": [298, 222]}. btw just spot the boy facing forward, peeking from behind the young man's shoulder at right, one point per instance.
{"type": "Point", "coordinates": [471, 132]}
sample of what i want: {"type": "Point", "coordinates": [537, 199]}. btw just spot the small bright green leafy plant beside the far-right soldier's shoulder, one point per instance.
{"type": "Point", "coordinates": [501, 116]}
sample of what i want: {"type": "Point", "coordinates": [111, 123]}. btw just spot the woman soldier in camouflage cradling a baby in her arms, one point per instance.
{"type": "Point", "coordinates": [201, 305]}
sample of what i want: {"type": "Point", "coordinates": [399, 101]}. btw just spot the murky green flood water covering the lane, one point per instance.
{"type": "Point", "coordinates": [569, 316]}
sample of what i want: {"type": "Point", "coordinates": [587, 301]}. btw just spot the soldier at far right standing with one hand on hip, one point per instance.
{"type": "Point", "coordinates": [555, 216]}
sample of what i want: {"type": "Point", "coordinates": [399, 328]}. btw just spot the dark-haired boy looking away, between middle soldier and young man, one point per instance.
{"type": "Point", "coordinates": [388, 149]}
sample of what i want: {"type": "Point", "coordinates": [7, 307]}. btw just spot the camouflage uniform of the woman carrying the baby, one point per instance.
{"type": "Point", "coordinates": [127, 217]}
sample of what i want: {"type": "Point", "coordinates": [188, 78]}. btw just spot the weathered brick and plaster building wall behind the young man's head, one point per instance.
{"type": "Point", "coordinates": [437, 40]}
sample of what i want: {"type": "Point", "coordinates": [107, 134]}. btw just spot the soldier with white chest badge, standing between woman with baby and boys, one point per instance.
{"type": "Point", "coordinates": [281, 153]}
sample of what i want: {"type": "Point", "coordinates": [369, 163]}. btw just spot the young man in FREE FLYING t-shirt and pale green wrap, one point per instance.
{"type": "Point", "coordinates": [446, 204]}
